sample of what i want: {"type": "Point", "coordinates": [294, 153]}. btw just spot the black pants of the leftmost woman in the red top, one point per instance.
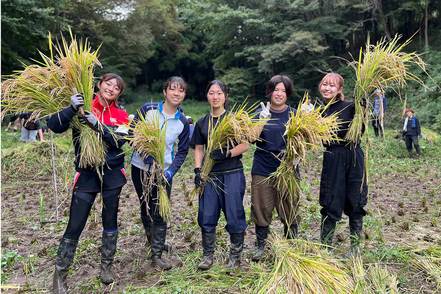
{"type": "Point", "coordinates": [81, 205]}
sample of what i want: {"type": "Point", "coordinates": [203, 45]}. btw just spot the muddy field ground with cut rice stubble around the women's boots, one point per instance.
{"type": "Point", "coordinates": [403, 216]}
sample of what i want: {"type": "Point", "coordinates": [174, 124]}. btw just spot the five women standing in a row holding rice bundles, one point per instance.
{"type": "Point", "coordinates": [342, 187]}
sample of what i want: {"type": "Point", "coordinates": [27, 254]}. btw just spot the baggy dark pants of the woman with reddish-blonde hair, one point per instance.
{"type": "Point", "coordinates": [343, 187]}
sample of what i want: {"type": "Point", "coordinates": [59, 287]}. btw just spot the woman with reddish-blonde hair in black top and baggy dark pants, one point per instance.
{"type": "Point", "coordinates": [343, 185]}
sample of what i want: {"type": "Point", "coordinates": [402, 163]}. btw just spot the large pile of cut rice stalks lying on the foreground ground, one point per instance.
{"type": "Point", "coordinates": [303, 267]}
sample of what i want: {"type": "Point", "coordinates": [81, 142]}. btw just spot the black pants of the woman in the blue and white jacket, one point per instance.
{"type": "Point", "coordinates": [148, 198]}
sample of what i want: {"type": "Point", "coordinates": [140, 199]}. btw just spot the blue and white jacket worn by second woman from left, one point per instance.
{"type": "Point", "coordinates": [177, 132]}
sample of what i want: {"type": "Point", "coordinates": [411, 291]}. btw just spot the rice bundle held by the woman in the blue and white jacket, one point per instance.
{"type": "Point", "coordinates": [148, 139]}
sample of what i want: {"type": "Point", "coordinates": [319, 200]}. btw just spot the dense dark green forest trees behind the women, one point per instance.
{"type": "Point", "coordinates": [242, 43]}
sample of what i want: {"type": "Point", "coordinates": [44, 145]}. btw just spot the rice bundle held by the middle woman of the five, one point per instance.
{"type": "Point", "coordinates": [236, 126]}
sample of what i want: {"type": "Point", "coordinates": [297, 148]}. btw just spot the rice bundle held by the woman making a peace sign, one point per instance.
{"type": "Point", "coordinates": [305, 131]}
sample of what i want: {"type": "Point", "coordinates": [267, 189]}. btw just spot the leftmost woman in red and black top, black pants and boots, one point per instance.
{"type": "Point", "coordinates": [89, 181]}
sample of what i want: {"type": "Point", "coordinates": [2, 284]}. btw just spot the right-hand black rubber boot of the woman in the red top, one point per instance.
{"type": "Point", "coordinates": [108, 249]}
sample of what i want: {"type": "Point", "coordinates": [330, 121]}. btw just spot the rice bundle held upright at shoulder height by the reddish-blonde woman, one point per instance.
{"type": "Point", "coordinates": [378, 67]}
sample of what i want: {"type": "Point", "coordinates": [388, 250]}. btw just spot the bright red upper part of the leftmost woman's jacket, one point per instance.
{"type": "Point", "coordinates": [110, 115]}
